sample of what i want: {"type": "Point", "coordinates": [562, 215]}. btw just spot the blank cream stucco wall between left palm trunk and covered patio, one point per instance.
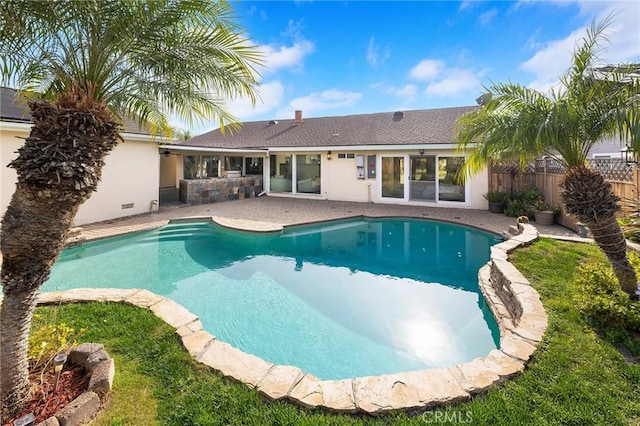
{"type": "Point", "coordinates": [131, 175]}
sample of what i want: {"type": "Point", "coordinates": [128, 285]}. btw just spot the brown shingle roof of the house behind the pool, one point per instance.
{"type": "Point", "coordinates": [429, 126]}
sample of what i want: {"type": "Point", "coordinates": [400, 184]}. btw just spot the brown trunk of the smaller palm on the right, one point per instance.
{"type": "Point", "coordinates": [591, 199]}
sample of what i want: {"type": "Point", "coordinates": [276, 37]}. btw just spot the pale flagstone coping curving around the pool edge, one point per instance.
{"type": "Point", "coordinates": [516, 306]}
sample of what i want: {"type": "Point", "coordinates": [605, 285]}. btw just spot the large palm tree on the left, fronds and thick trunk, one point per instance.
{"type": "Point", "coordinates": [88, 65]}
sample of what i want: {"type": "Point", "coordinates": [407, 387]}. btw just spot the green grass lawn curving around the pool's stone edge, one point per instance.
{"type": "Point", "coordinates": [576, 377]}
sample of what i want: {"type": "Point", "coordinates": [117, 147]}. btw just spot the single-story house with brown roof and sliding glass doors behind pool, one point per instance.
{"type": "Point", "coordinates": [402, 157]}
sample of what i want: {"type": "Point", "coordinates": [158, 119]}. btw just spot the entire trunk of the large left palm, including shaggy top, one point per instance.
{"type": "Point", "coordinates": [58, 168]}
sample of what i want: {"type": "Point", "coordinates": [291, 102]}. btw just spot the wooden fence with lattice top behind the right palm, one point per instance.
{"type": "Point", "coordinates": [547, 174]}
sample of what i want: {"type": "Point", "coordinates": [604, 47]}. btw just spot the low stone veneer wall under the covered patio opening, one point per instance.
{"type": "Point", "coordinates": [203, 191]}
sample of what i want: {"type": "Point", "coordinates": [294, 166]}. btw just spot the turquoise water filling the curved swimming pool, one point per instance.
{"type": "Point", "coordinates": [339, 299]}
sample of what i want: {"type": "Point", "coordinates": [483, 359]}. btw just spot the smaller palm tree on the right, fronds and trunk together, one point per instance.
{"type": "Point", "coordinates": [520, 123]}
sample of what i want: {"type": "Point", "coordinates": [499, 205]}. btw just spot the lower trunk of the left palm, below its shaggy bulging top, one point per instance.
{"type": "Point", "coordinates": [34, 229]}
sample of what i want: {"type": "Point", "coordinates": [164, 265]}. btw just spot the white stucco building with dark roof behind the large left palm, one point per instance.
{"type": "Point", "coordinates": [130, 176]}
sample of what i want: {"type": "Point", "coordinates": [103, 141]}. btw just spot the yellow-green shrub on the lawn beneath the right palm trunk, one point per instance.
{"type": "Point", "coordinates": [601, 298]}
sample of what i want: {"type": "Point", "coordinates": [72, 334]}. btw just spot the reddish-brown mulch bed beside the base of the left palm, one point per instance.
{"type": "Point", "coordinates": [45, 402]}
